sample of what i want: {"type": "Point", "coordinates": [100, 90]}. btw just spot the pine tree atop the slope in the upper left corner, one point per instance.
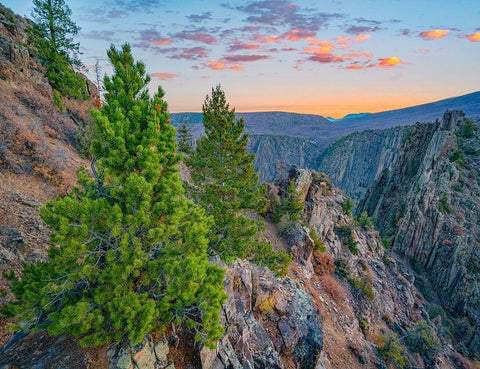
{"type": "Point", "coordinates": [52, 35]}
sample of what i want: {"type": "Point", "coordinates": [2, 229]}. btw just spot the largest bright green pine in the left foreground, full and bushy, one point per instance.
{"type": "Point", "coordinates": [130, 248]}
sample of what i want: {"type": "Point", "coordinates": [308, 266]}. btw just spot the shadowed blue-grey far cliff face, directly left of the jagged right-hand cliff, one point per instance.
{"type": "Point", "coordinates": [355, 161]}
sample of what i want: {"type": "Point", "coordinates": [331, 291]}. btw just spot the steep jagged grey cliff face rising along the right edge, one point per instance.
{"type": "Point", "coordinates": [429, 204]}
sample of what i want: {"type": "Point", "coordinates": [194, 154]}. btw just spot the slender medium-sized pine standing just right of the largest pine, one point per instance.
{"type": "Point", "coordinates": [227, 186]}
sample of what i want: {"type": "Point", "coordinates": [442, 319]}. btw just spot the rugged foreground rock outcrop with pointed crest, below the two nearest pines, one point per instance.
{"type": "Point", "coordinates": [335, 309]}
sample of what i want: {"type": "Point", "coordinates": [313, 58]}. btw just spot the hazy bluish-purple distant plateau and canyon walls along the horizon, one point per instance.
{"type": "Point", "coordinates": [283, 139]}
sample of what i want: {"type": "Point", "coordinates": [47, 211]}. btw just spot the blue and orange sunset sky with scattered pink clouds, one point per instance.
{"type": "Point", "coordinates": [321, 57]}
